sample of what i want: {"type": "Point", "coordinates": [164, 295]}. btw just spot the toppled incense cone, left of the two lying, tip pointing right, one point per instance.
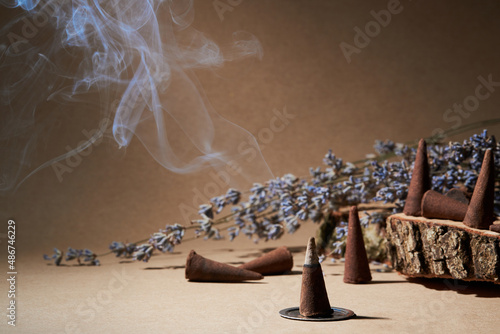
{"type": "Point", "coordinates": [201, 269]}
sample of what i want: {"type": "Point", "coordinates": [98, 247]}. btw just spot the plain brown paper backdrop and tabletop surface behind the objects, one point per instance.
{"type": "Point", "coordinates": [398, 87]}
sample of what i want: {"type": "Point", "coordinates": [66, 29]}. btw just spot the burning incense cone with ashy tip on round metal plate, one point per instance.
{"type": "Point", "coordinates": [313, 297]}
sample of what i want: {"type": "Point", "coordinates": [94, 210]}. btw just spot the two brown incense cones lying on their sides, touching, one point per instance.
{"type": "Point", "coordinates": [200, 269]}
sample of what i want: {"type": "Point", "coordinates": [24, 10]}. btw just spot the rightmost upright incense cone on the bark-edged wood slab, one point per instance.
{"type": "Point", "coordinates": [480, 212]}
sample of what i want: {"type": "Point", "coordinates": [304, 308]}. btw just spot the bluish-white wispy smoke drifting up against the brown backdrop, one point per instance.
{"type": "Point", "coordinates": [140, 53]}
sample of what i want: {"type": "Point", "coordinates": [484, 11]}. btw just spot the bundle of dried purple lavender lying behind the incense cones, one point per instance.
{"type": "Point", "coordinates": [281, 204]}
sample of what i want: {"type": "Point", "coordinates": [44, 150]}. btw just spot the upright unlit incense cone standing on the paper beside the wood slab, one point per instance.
{"type": "Point", "coordinates": [356, 269]}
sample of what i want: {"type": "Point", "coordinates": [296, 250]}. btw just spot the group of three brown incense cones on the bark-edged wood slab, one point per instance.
{"type": "Point", "coordinates": [422, 201]}
